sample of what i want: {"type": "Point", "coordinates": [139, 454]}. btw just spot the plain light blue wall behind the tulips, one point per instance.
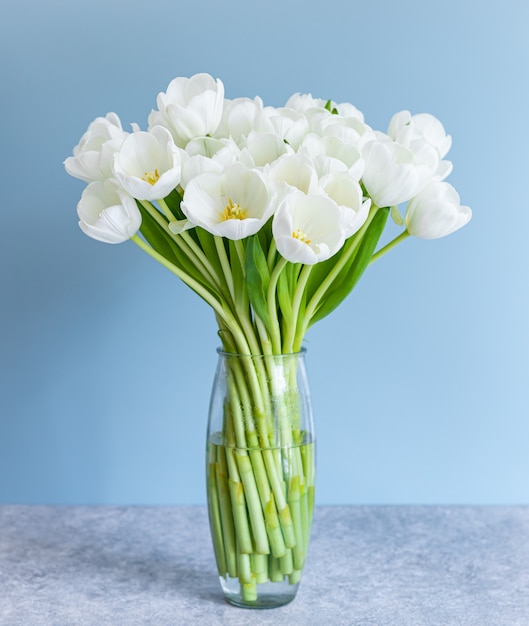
{"type": "Point", "coordinates": [419, 381]}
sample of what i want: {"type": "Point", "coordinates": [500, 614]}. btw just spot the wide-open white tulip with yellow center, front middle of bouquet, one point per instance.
{"type": "Point", "coordinates": [234, 203]}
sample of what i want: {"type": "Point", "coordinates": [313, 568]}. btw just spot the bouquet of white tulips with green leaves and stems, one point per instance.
{"type": "Point", "coordinates": [270, 215]}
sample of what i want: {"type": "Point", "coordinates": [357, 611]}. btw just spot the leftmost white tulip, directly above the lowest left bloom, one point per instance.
{"type": "Point", "coordinates": [93, 156]}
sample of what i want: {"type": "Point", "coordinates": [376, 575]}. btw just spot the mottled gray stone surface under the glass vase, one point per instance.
{"type": "Point", "coordinates": [367, 566]}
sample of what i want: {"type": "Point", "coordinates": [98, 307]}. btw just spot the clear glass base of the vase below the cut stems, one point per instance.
{"type": "Point", "coordinates": [267, 595]}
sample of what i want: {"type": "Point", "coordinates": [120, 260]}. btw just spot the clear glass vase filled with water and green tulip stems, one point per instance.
{"type": "Point", "coordinates": [260, 476]}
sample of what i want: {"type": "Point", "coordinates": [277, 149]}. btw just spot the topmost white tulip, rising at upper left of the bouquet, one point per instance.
{"type": "Point", "coordinates": [190, 108]}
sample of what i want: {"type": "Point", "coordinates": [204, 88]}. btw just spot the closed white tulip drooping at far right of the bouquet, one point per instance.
{"type": "Point", "coordinates": [436, 212]}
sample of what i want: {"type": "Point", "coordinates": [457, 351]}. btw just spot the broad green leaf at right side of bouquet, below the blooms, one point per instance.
{"type": "Point", "coordinates": [350, 274]}
